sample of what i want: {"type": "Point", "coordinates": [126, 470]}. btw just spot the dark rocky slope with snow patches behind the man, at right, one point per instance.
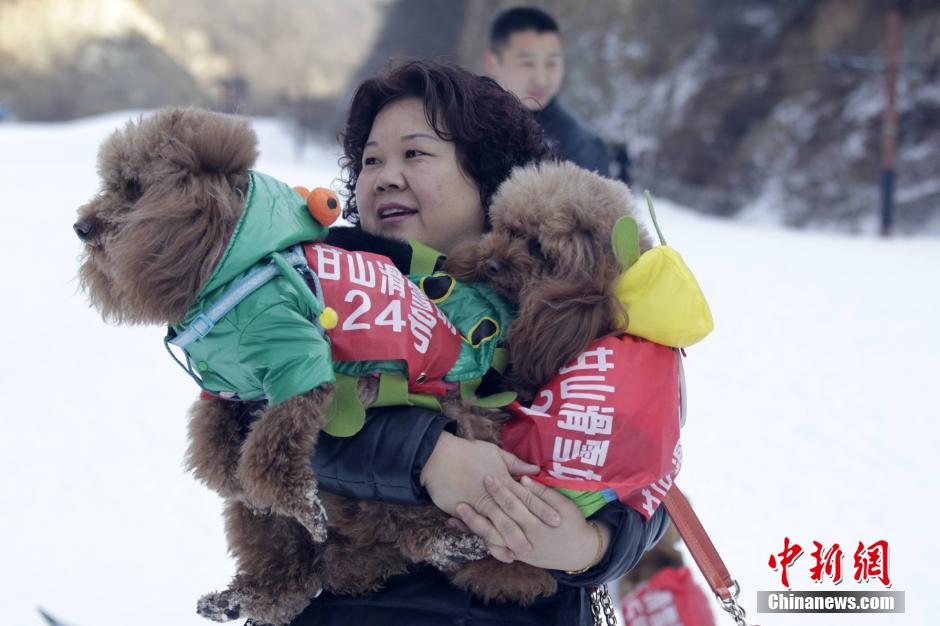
{"type": "Point", "coordinates": [756, 107]}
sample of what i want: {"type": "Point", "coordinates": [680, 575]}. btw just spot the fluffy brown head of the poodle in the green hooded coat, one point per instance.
{"type": "Point", "coordinates": [172, 188]}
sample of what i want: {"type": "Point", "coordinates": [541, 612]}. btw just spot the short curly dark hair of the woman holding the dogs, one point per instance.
{"type": "Point", "coordinates": [492, 130]}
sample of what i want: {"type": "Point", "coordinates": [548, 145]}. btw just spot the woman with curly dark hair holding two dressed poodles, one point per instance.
{"type": "Point", "coordinates": [426, 145]}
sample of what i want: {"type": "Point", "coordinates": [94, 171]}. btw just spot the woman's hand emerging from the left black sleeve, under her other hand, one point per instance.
{"type": "Point", "coordinates": [454, 473]}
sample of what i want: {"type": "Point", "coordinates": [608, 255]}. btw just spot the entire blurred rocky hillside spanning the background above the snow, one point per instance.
{"type": "Point", "coordinates": [753, 108]}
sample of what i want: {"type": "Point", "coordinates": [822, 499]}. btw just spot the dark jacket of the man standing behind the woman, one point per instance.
{"type": "Point", "coordinates": [572, 139]}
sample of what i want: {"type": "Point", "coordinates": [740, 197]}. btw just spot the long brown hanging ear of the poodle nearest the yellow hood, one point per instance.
{"type": "Point", "coordinates": [556, 322]}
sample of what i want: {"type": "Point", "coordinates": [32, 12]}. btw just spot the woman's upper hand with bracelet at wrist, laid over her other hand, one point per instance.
{"type": "Point", "coordinates": [512, 532]}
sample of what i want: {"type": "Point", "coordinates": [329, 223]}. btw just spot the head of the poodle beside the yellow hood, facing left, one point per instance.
{"type": "Point", "coordinates": [549, 252]}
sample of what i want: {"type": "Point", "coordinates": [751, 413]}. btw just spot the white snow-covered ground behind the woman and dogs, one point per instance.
{"type": "Point", "coordinates": [811, 408]}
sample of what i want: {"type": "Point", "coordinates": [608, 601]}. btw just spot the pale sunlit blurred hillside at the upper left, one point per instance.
{"type": "Point", "coordinates": [61, 59]}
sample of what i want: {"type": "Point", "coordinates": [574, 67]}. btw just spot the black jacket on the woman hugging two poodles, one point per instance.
{"type": "Point", "coordinates": [384, 462]}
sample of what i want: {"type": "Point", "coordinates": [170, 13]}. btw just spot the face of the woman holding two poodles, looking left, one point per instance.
{"type": "Point", "coordinates": [411, 185]}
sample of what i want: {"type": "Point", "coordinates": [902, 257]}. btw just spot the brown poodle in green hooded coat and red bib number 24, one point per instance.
{"type": "Point", "coordinates": [173, 190]}
